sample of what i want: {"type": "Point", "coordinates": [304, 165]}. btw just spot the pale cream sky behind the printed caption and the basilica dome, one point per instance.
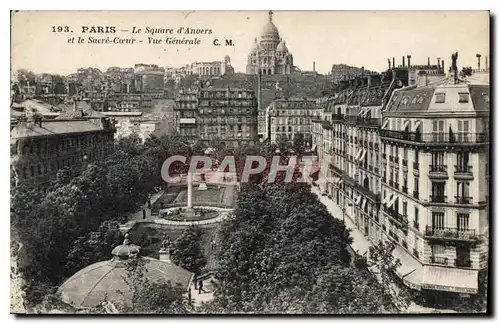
{"type": "Point", "coordinates": [359, 38]}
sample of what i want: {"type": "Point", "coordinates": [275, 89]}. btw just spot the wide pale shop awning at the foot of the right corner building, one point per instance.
{"type": "Point", "coordinates": [450, 279]}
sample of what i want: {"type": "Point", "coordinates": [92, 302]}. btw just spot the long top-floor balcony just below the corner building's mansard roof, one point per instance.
{"type": "Point", "coordinates": [436, 138]}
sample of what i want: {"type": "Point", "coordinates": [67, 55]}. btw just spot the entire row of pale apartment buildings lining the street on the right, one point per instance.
{"type": "Point", "coordinates": [409, 163]}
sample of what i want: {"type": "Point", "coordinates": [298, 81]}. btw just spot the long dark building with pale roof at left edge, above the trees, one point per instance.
{"type": "Point", "coordinates": [40, 148]}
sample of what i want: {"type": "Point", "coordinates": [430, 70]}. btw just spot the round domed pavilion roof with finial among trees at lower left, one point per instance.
{"type": "Point", "coordinates": [90, 286]}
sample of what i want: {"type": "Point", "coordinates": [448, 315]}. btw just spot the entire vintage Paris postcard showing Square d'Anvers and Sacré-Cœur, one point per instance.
{"type": "Point", "coordinates": [249, 162]}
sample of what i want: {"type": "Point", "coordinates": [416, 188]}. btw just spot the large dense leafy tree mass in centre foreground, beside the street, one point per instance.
{"type": "Point", "coordinates": [280, 238]}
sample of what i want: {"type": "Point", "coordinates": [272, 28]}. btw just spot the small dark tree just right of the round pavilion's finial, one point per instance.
{"type": "Point", "coordinates": [187, 251]}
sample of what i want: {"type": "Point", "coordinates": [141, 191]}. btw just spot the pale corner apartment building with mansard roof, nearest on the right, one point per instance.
{"type": "Point", "coordinates": [435, 142]}
